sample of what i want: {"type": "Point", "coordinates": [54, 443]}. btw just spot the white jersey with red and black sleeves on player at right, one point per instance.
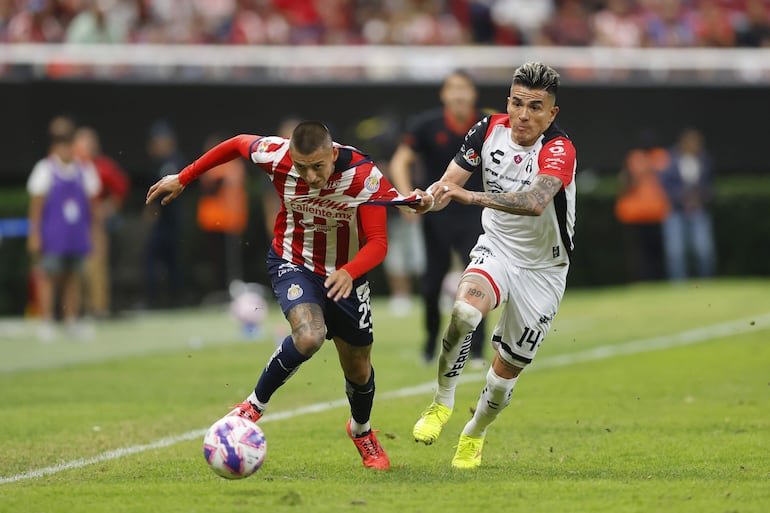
{"type": "Point", "coordinates": [530, 241]}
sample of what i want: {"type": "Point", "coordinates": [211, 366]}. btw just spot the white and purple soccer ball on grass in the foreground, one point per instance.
{"type": "Point", "coordinates": [234, 447]}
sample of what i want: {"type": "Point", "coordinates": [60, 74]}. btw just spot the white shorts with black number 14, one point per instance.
{"type": "Point", "coordinates": [529, 298]}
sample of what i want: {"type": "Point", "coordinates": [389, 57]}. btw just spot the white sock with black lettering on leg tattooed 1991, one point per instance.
{"type": "Point", "coordinates": [455, 350]}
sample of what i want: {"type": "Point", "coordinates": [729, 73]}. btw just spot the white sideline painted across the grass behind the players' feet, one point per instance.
{"type": "Point", "coordinates": [684, 338]}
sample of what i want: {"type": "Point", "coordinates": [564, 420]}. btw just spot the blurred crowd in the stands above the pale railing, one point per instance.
{"type": "Point", "coordinates": [614, 23]}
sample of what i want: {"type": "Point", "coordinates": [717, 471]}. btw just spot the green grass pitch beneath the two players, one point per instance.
{"type": "Point", "coordinates": [685, 429]}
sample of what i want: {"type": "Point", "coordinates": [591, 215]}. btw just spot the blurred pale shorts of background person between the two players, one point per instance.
{"type": "Point", "coordinates": [406, 247]}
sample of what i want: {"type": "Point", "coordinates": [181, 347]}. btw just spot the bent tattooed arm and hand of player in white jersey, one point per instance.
{"type": "Point", "coordinates": [531, 202]}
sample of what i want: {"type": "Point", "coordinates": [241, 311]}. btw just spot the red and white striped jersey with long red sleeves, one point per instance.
{"type": "Point", "coordinates": [320, 229]}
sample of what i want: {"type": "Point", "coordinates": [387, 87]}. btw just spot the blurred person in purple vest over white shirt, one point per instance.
{"type": "Point", "coordinates": [62, 192]}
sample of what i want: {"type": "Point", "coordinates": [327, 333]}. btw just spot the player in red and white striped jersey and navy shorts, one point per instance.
{"type": "Point", "coordinates": [326, 238]}
